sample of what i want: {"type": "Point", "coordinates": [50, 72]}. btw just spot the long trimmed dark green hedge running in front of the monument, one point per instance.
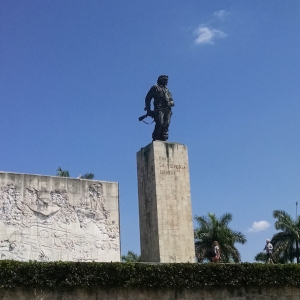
{"type": "Point", "coordinates": [109, 275]}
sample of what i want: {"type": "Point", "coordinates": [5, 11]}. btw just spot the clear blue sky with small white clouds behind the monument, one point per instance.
{"type": "Point", "coordinates": [74, 75]}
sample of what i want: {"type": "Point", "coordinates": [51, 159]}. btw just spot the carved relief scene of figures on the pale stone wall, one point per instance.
{"type": "Point", "coordinates": [62, 231]}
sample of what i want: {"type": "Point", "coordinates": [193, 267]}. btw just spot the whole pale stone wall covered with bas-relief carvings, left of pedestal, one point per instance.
{"type": "Point", "coordinates": [47, 218]}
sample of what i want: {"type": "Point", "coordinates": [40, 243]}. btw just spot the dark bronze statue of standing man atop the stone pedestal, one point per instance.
{"type": "Point", "coordinates": [163, 103]}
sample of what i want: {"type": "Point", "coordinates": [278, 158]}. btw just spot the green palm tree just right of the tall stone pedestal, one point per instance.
{"type": "Point", "coordinates": [213, 229]}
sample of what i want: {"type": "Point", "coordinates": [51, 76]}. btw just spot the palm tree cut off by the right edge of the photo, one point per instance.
{"type": "Point", "coordinates": [286, 242]}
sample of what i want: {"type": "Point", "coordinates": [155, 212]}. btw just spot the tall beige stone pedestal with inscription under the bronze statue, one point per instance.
{"type": "Point", "coordinates": [166, 229]}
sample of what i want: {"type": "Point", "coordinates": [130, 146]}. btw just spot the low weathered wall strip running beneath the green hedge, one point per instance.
{"type": "Point", "coordinates": [95, 293]}
